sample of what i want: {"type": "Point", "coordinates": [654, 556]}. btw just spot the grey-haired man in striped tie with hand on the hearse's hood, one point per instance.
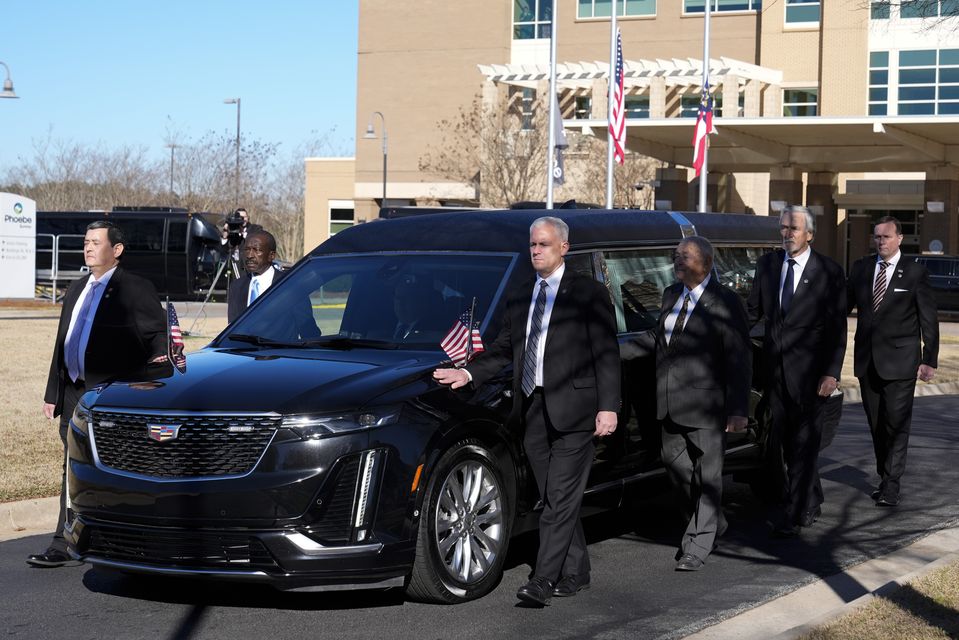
{"type": "Point", "coordinates": [559, 333]}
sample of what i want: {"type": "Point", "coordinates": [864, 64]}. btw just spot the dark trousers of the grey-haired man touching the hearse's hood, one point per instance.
{"type": "Point", "coordinates": [561, 461]}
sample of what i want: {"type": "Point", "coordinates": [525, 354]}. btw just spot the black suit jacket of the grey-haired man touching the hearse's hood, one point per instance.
{"type": "Point", "coordinates": [581, 366]}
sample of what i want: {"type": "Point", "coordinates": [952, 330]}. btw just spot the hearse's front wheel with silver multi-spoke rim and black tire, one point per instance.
{"type": "Point", "coordinates": [461, 546]}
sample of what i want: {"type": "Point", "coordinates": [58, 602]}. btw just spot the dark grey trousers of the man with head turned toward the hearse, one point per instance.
{"type": "Point", "coordinates": [694, 461]}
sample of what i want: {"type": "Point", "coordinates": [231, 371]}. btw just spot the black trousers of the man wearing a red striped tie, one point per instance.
{"type": "Point", "coordinates": [888, 406]}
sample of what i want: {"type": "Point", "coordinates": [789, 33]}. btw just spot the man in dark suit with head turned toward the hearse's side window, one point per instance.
{"type": "Point", "coordinates": [703, 375]}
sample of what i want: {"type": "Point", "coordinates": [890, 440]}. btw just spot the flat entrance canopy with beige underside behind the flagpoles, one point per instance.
{"type": "Point", "coordinates": [810, 144]}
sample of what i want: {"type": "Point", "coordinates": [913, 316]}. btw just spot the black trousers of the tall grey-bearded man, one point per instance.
{"type": "Point", "coordinates": [798, 423]}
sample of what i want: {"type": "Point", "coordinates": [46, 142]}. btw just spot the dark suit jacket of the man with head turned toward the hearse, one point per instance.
{"type": "Point", "coordinates": [703, 375]}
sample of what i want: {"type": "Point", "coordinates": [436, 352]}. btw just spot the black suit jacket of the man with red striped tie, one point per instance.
{"type": "Point", "coordinates": [890, 336]}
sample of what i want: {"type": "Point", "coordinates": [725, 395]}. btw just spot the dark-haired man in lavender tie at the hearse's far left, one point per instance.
{"type": "Point", "coordinates": [111, 323]}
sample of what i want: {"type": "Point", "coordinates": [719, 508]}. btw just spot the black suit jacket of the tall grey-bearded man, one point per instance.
{"type": "Point", "coordinates": [810, 341]}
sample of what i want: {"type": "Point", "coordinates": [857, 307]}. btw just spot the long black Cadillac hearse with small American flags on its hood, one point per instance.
{"type": "Point", "coordinates": [308, 447]}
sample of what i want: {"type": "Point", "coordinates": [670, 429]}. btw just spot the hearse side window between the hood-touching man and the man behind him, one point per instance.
{"type": "Point", "coordinates": [636, 279]}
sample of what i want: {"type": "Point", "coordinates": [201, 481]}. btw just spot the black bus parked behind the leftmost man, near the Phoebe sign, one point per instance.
{"type": "Point", "coordinates": [178, 251]}
